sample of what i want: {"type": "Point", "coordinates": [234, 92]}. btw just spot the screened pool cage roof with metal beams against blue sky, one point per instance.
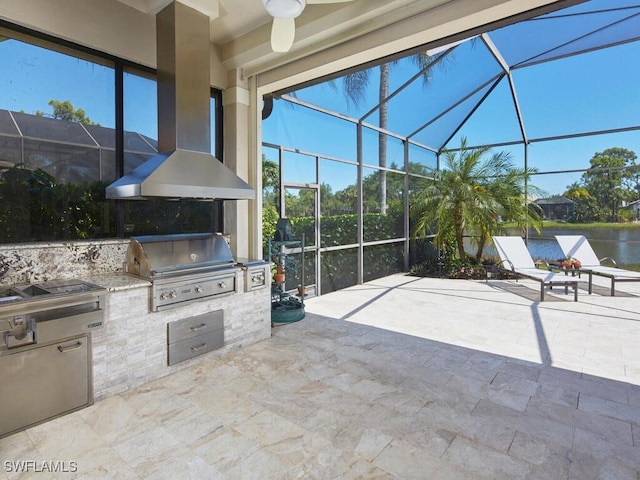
{"type": "Point", "coordinates": [527, 82]}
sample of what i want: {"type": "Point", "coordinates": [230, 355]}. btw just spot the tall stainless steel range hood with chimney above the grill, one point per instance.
{"type": "Point", "coordinates": [184, 168]}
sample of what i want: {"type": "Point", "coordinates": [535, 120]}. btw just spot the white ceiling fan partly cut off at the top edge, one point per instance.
{"type": "Point", "coordinates": [284, 13]}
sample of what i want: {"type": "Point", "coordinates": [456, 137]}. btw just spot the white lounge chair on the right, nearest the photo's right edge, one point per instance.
{"type": "Point", "coordinates": [578, 247]}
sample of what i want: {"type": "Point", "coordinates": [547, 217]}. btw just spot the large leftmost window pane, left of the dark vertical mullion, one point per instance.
{"type": "Point", "coordinates": [57, 134]}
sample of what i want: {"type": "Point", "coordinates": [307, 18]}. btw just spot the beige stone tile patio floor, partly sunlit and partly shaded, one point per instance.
{"type": "Point", "coordinates": [400, 378]}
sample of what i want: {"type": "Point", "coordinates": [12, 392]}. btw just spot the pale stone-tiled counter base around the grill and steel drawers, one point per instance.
{"type": "Point", "coordinates": [132, 347]}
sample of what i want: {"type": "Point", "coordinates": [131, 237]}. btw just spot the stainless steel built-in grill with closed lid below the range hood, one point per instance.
{"type": "Point", "coordinates": [184, 268]}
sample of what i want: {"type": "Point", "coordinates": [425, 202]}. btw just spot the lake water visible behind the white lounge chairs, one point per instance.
{"type": "Point", "coordinates": [623, 245]}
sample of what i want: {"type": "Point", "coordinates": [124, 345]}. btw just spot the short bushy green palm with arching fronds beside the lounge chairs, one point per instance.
{"type": "Point", "coordinates": [471, 195]}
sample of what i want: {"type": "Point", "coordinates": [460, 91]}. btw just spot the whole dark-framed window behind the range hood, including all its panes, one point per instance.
{"type": "Point", "coordinates": [59, 148]}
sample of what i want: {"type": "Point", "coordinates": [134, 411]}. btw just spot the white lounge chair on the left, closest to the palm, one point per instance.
{"type": "Point", "coordinates": [515, 258]}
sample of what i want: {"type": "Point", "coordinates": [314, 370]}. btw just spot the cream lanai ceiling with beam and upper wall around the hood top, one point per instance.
{"type": "Point", "coordinates": [328, 37]}
